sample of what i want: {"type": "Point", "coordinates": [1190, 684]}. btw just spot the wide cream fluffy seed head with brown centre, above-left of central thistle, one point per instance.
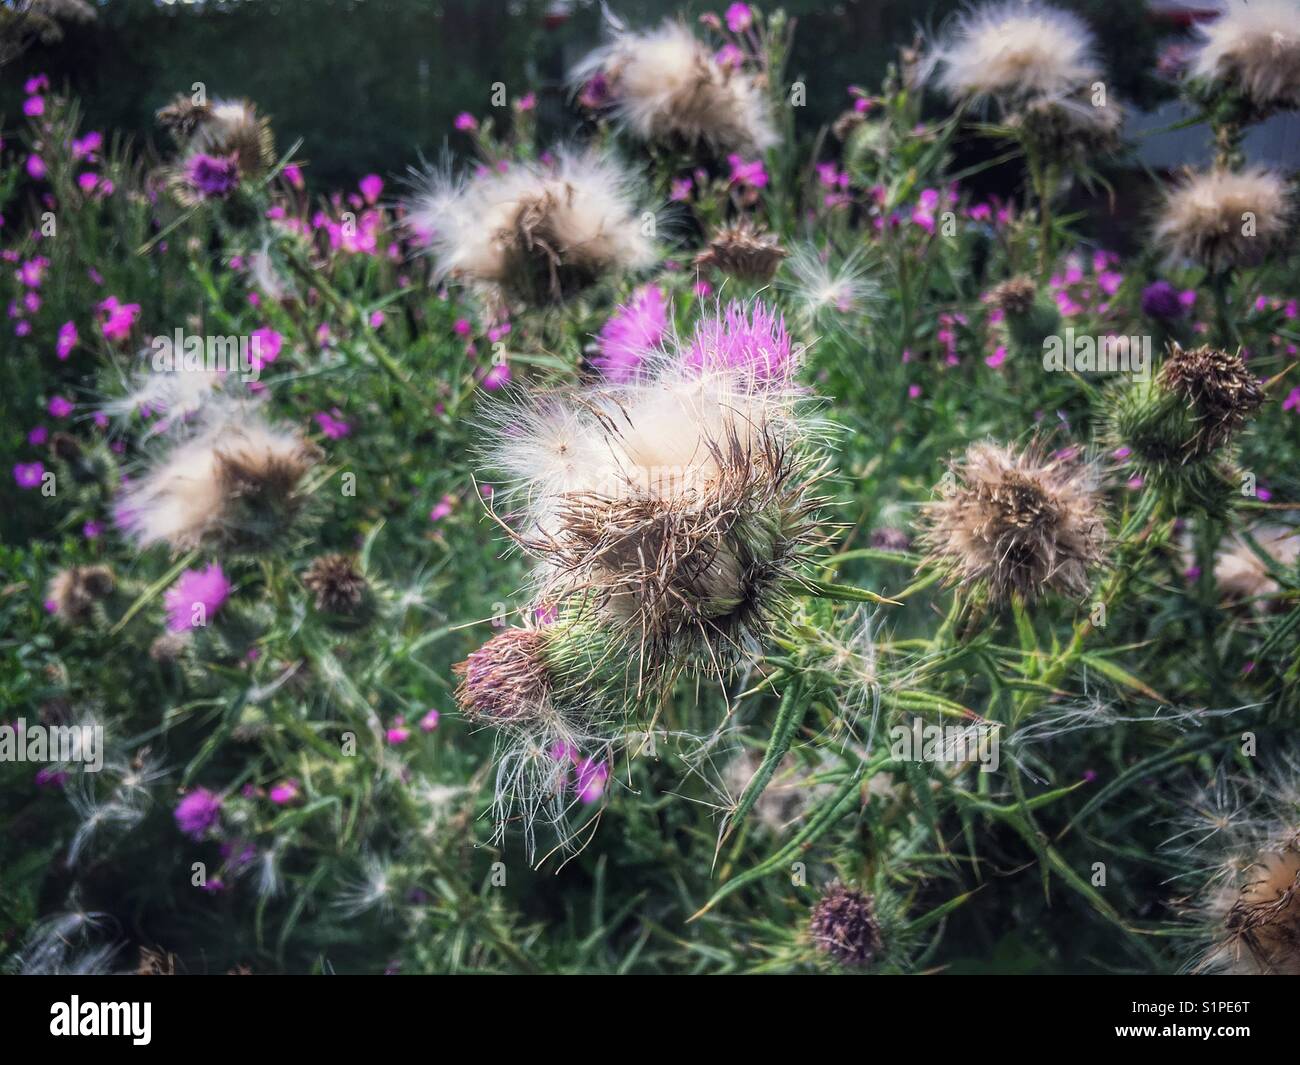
{"type": "Point", "coordinates": [535, 233]}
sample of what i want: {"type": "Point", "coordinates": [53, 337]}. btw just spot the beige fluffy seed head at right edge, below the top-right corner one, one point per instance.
{"type": "Point", "coordinates": [1223, 219]}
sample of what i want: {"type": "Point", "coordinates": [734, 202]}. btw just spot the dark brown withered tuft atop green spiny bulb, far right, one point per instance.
{"type": "Point", "coordinates": [1220, 391]}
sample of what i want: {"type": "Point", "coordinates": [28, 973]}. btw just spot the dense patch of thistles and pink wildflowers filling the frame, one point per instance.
{"type": "Point", "coordinates": [735, 588]}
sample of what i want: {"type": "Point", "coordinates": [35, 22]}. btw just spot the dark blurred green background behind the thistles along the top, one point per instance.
{"type": "Point", "coordinates": [372, 85]}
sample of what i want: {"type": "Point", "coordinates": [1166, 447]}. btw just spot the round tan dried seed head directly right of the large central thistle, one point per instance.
{"type": "Point", "coordinates": [1017, 522]}
